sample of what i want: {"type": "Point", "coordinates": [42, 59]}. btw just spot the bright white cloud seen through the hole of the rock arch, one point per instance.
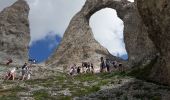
{"type": "Point", "coordinates": [108, 30]}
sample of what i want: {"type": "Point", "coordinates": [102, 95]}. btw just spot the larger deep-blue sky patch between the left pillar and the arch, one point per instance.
{"type": "Point", "coordinates": [42, 49]}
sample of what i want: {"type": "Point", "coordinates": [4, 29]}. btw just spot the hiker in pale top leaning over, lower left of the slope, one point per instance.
{"type": "Point", "coordinates": [11, 74]}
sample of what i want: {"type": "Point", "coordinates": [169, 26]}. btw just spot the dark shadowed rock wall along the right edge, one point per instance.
{"type": "Point", "coordinates": [156, 16]}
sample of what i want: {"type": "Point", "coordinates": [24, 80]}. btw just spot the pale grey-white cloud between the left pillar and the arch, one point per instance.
{"type": "Point", "coordinates": [51, 15]}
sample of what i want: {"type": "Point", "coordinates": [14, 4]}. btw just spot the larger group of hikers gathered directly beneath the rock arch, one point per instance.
{"type": "Point", "coordinates": [87, 67]}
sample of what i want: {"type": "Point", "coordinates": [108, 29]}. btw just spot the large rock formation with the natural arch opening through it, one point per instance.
{"type": "Point", "coordinates": [79, 45]}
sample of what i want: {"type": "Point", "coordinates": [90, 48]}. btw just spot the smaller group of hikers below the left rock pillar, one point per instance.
{"type": "Point", "coordinates": [25, 70]}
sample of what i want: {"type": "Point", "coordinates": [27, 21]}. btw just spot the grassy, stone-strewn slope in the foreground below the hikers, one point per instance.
{"type": "Point", "coordinates": [104, 86]}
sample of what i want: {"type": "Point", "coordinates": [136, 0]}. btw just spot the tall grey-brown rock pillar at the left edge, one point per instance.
{"type": "Point", "coordinates": [14, 32]}
